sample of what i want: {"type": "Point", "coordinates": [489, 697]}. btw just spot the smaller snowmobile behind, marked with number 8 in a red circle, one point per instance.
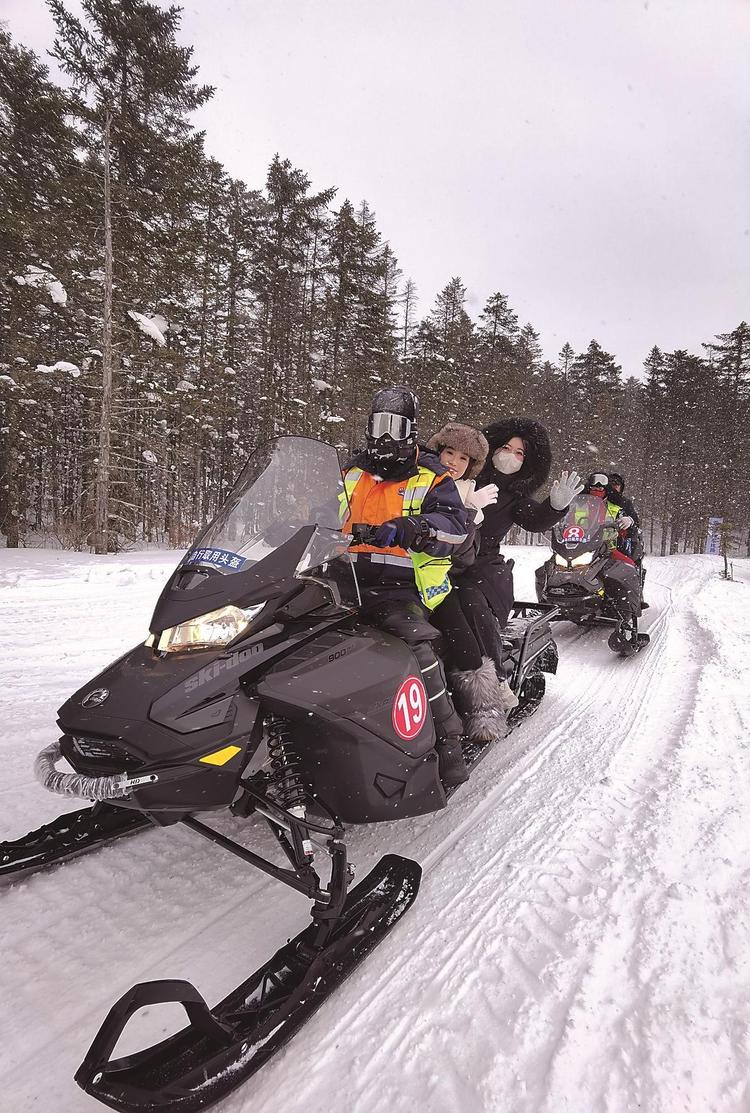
{"type": "Point", "coordinates": [590, 583]}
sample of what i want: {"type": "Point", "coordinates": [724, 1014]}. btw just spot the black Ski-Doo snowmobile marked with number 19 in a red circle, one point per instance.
{"type": "Point", "coordinates": [261, 691]}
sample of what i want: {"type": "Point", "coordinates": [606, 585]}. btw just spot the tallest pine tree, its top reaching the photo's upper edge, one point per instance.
{"type": "Point", "coordinates": [135, 92]}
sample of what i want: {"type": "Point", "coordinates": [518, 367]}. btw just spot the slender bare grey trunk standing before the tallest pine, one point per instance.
{"type": "Point", "coordinates": [102, 528]}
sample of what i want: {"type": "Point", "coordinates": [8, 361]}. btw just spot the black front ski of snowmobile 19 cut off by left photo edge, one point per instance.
{"type": "Point", "coordinates": [66, 838]}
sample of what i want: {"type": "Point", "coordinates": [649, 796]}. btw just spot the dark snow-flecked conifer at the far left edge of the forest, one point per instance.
{"type": "Point", "coordinates": [40, 173]}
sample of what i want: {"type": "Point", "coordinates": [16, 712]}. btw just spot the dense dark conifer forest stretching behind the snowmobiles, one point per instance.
{"type": "Point", "coordinates": [160, 320]}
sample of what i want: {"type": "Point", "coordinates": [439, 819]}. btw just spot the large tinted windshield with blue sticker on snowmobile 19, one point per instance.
{"type": "Point", "coordinates": [288, 485]}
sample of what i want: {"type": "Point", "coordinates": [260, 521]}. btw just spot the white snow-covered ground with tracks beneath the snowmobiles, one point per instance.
{"type": "Point", "coordinates": [580, 941]}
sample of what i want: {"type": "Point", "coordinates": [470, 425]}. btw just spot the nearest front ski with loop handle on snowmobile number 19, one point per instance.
{"type": "Point", "coordinates": [222, 1048]}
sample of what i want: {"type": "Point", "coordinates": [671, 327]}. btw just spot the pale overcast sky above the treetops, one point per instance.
{"type": "Point", "coordinates": [589, 159]}
